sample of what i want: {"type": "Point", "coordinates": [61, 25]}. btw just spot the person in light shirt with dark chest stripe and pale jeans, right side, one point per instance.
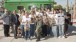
{"type": "Point", "coordinates": [61, 22]}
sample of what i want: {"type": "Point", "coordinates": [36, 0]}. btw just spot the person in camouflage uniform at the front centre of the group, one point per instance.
{"type": "Point", "coordinates": [38, 28]}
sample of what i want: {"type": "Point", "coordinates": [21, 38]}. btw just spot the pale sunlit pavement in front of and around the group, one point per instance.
{"type": "Point", "coordinates": [71, 37]}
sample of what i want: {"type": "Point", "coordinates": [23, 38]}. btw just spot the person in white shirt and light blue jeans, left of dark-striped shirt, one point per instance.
{"type": "Point", "coordinates": [54, 25]}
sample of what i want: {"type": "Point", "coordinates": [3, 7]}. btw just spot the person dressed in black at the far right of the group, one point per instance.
{"type": "Point", "coordinates": [67, 22]}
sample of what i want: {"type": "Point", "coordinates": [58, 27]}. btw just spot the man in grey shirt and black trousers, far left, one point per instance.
{"type": "Point", "coordinates": [6, 23]}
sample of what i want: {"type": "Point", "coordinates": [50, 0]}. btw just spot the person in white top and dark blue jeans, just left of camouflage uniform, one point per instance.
{"type": "Point", "coordinates": [32, 24]}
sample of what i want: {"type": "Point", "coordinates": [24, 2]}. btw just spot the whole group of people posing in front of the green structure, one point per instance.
{"type": "Point", "coordinates": [36, 23]}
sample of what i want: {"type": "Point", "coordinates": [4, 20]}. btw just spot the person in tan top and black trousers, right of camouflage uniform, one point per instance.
{"type": "Point", "coordinates": [45, 25]}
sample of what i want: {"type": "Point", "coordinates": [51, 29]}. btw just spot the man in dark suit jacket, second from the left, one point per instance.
{"type": "Point", "coordinates": [17, 23]}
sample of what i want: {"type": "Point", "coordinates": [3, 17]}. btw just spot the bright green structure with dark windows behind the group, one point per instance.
{"type": "Point", "coordinates": [21, 4]}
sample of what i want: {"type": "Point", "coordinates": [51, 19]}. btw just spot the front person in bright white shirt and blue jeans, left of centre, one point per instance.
{"type": "Point", "coordinates": [27, 26]}
